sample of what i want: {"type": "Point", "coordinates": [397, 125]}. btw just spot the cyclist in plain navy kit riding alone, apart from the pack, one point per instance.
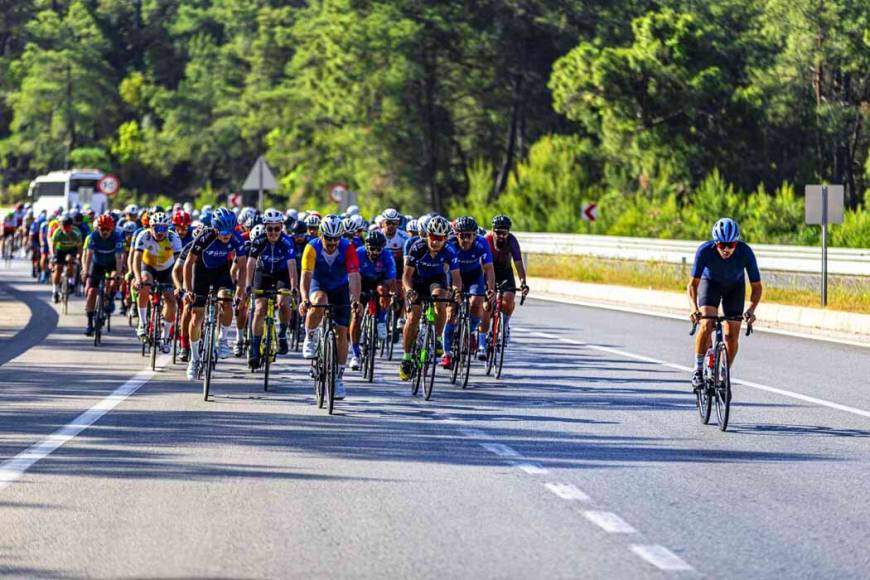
{"type": "Point", "coordinates": [718, 278]}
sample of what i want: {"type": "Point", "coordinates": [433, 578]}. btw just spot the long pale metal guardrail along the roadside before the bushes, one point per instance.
{"type": "Point", "coordinates": [807, 259]}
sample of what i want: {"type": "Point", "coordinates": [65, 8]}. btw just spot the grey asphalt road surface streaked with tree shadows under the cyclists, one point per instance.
{"type": "Point", "coordinates": [587, 460]}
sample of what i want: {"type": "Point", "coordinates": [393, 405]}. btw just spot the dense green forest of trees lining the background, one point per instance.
{"type": "Point", "coordinates": [535, 105]}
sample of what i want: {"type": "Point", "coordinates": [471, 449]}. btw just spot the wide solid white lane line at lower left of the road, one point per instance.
{"type": "Point", "coordinates": [14, 468]}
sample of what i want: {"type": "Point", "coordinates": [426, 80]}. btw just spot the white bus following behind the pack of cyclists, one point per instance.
{"type": "Point", "coordinates": [67, 189]}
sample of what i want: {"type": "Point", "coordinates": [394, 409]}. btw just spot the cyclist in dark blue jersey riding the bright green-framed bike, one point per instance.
{"type": "Point", "coordinates": [425, 277]}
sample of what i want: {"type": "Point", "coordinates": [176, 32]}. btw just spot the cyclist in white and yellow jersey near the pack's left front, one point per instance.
{"type": "Point", "coordinates": [155, 251]}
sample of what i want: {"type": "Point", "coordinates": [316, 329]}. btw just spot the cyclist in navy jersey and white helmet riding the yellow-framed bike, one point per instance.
{"type": "Point", "coordinates": [271, 266]}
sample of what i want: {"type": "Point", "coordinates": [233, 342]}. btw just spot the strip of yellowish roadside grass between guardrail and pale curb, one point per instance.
{"type": "Point", "coordinates": [848, 295]}
